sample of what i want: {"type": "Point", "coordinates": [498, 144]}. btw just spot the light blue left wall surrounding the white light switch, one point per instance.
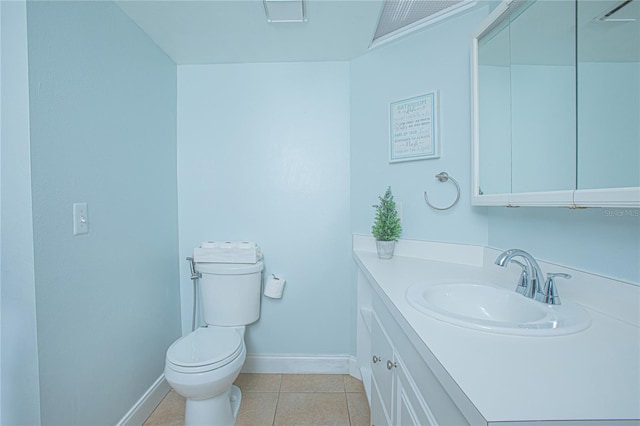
{"type": "Point", "coordinates": [103, 131]}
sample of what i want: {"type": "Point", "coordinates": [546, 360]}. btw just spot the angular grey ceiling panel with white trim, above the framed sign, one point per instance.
{"type": "Point", "coordinates": [399, 17]}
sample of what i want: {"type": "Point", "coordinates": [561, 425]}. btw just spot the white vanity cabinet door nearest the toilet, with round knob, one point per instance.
{"type": "Point", "coordinates": [382, 352]}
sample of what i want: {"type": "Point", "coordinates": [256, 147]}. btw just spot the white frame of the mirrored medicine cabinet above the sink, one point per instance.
{"type": "Point", "coordinates": [628, 197]}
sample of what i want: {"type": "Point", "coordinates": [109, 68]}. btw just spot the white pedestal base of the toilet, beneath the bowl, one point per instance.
{"type": "Point", "coordinates": [221, 410]}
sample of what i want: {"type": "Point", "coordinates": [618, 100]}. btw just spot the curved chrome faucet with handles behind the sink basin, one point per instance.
{"type": "Point", "coordinates": [529, 284]}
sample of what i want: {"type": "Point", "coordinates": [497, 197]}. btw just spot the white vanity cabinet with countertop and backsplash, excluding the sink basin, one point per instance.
{"type": "Point", "coordinates": [446, 375]}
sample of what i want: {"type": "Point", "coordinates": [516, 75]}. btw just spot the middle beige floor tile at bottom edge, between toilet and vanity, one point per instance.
{"type": "Point", "coordinates": [312, 408]}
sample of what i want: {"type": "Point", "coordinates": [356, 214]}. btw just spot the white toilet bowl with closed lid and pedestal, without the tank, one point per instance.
{"type": "Point", "coordinates": [202, 367]}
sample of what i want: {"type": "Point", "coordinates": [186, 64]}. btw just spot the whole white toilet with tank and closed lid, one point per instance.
{"type": "Point", "coordinates": [202, 365]}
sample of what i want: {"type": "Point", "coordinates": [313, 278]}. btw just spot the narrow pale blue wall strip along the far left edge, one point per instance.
{"type": "Point", "coordinates": [19, 387]}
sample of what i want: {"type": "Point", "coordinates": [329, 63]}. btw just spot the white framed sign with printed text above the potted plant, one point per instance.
{"type": "Point", "coordinates": [413, 128]}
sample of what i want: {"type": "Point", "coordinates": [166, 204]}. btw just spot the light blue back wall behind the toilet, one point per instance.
{"type": "Point", "coordinates": [263, 155]}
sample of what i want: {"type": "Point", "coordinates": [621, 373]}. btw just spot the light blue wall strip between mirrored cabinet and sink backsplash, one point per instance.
{"type": "Point", "coordinates": [603, 241]}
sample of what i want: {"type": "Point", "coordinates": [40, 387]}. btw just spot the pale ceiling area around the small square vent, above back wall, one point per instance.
{"type": "Point", "coordinates": [237, 31]}
